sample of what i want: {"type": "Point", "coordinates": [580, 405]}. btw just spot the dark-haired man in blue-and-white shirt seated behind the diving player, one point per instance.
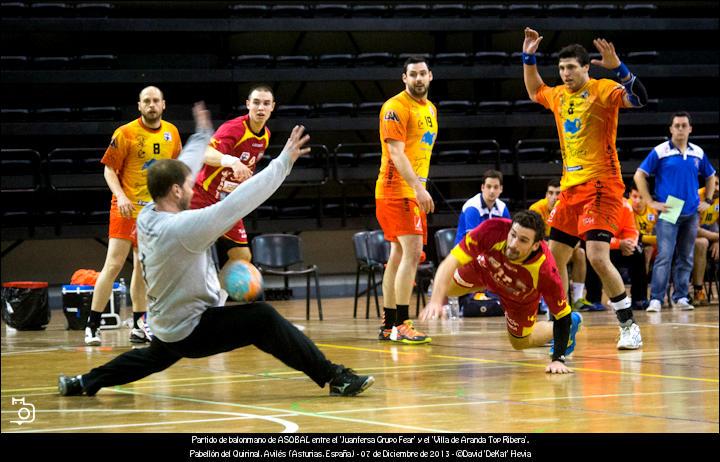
{"type": "Point", "coordinates": [482, 206]}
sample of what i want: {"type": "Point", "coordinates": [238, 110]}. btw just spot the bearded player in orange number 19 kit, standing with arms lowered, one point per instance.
{"type": "Point", "coordinates": [408, 130]}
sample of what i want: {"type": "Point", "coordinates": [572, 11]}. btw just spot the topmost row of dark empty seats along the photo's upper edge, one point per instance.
{"type": "Point", "coordinates": [322, 10]}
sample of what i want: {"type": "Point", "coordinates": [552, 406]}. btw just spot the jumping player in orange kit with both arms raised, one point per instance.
{"type": "Point", "coordinates": [586, 115]}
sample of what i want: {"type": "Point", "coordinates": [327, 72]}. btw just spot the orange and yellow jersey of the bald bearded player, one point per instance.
{"type": "Point", "coordinates": [133, 149]}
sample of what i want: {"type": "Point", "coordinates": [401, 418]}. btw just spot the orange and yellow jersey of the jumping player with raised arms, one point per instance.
{"type": "Point", "coordinates": [587, 127]}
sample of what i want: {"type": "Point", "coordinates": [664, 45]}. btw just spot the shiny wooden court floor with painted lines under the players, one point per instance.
{"type": "Point", "coordinates": [467, 380]}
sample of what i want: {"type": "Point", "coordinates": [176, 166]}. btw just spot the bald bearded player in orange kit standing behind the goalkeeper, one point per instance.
{"type": "Point", "coordinates": [134, 148]}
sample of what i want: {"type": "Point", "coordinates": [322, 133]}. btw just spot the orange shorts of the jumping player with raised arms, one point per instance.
{"type": "Point", "coordinates": [593, 205]}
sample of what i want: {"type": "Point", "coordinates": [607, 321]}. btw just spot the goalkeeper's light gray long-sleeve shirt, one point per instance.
{"type": "Point", "coordinates": [174, 248]}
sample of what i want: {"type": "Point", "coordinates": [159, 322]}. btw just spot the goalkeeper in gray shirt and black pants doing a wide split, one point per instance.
{"type": "Point", "coordinates": [185, 301]}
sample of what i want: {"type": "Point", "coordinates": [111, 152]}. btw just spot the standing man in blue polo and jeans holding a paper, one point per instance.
{"type": "Point", "coordinates": [676, 165]}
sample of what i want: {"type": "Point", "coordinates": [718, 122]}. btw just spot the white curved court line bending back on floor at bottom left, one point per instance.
{"type": "Point", "coordinates": [288, 426]}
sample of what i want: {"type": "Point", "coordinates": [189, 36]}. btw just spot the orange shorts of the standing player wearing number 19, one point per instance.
{"type": "Point", "coordinates": [399, 217]}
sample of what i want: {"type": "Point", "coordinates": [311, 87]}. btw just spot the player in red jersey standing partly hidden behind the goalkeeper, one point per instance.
{"type": "Point", "coordinates": [231, 158]}
